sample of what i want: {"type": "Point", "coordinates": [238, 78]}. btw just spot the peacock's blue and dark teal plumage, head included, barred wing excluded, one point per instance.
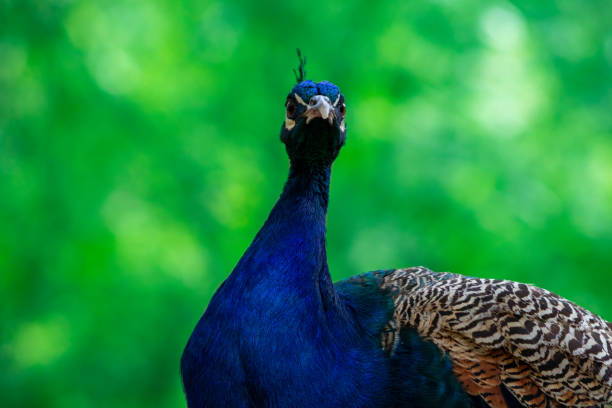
{"type": "Point", "coordinates": [278, 332]}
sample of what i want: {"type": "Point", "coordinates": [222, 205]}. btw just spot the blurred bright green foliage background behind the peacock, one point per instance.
{"type": "Point", "coordinates": [139, 155]}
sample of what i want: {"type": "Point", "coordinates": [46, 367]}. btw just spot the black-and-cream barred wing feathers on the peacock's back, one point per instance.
{"type": "Point", "coordinates": [546, 350]}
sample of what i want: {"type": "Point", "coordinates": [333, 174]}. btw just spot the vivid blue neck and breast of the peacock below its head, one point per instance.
{"type": "Point", "coordinates": [277, 326]}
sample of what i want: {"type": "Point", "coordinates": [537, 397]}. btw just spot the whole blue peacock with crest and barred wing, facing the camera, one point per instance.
{"type": "Point", "coordinates": [279, 333]}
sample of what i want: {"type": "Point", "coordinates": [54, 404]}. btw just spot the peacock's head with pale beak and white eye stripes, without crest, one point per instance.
{"type": "Point", "coordinates": [314, 129]}
